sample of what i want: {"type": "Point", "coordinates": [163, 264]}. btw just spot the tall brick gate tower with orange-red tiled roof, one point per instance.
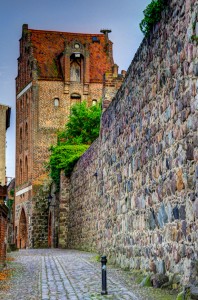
{"type": "Point", "coordinates": [55, 70]}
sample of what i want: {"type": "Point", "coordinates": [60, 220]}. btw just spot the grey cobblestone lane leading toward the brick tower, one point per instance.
{"type": "Point", "coordinates": [64, 274]}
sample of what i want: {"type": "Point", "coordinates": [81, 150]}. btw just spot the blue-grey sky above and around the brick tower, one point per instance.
{"type": "Point", "coordinates": [86, 16]}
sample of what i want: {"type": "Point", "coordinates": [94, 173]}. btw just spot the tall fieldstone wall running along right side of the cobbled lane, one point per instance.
{"type": "Point", "coordinates": [141, 206]}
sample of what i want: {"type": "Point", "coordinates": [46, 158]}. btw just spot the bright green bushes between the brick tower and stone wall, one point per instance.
{"type": "Point", "coordinates": [81, 130]}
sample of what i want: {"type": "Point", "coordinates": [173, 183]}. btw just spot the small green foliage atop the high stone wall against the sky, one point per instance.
{"type": "Point", "coordinates": [152, 15]}
